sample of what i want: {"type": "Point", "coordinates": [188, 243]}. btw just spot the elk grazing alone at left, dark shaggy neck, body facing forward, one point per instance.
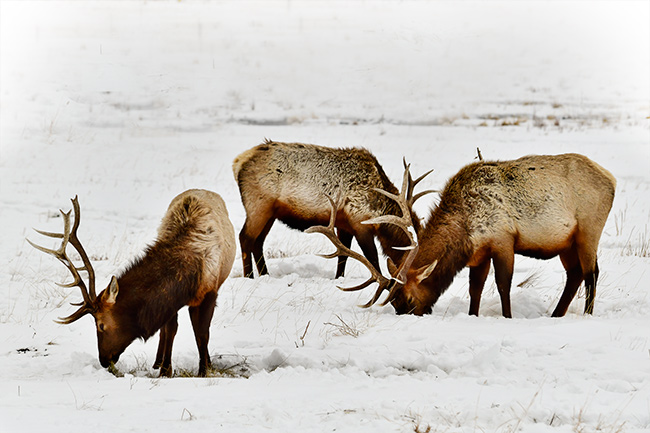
{"type": "Point", "coordinates": [191, 258]}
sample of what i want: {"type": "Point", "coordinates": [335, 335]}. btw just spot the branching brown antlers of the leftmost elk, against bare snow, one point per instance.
{"type": "Point", "coordinates": [69, 236]}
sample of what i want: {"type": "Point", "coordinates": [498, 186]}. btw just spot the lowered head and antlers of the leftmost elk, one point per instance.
{"type": "Point", "coordinates": [114, 332]}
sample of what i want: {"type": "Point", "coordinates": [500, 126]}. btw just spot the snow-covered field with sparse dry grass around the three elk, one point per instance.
{"type": "Point", "coordinates": [129, 103]}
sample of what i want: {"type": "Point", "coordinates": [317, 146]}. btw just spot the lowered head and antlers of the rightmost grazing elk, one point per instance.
{"type": "Point", "coordinates": [402, 277]}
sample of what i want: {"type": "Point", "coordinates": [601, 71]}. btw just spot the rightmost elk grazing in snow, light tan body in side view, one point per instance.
{"type": "Point", "coordinates": [536, 206]}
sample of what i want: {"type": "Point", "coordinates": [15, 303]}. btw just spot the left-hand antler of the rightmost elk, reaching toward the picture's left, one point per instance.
{"type": "Point", "coordinates": [342, 250]}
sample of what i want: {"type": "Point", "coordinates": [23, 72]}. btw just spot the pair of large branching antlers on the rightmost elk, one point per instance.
{"type": "Point", "coordinates": [405, 200]}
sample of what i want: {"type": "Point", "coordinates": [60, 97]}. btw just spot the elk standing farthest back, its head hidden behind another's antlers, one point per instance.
{"type": "Point", "coordinates": [291, 182]}
